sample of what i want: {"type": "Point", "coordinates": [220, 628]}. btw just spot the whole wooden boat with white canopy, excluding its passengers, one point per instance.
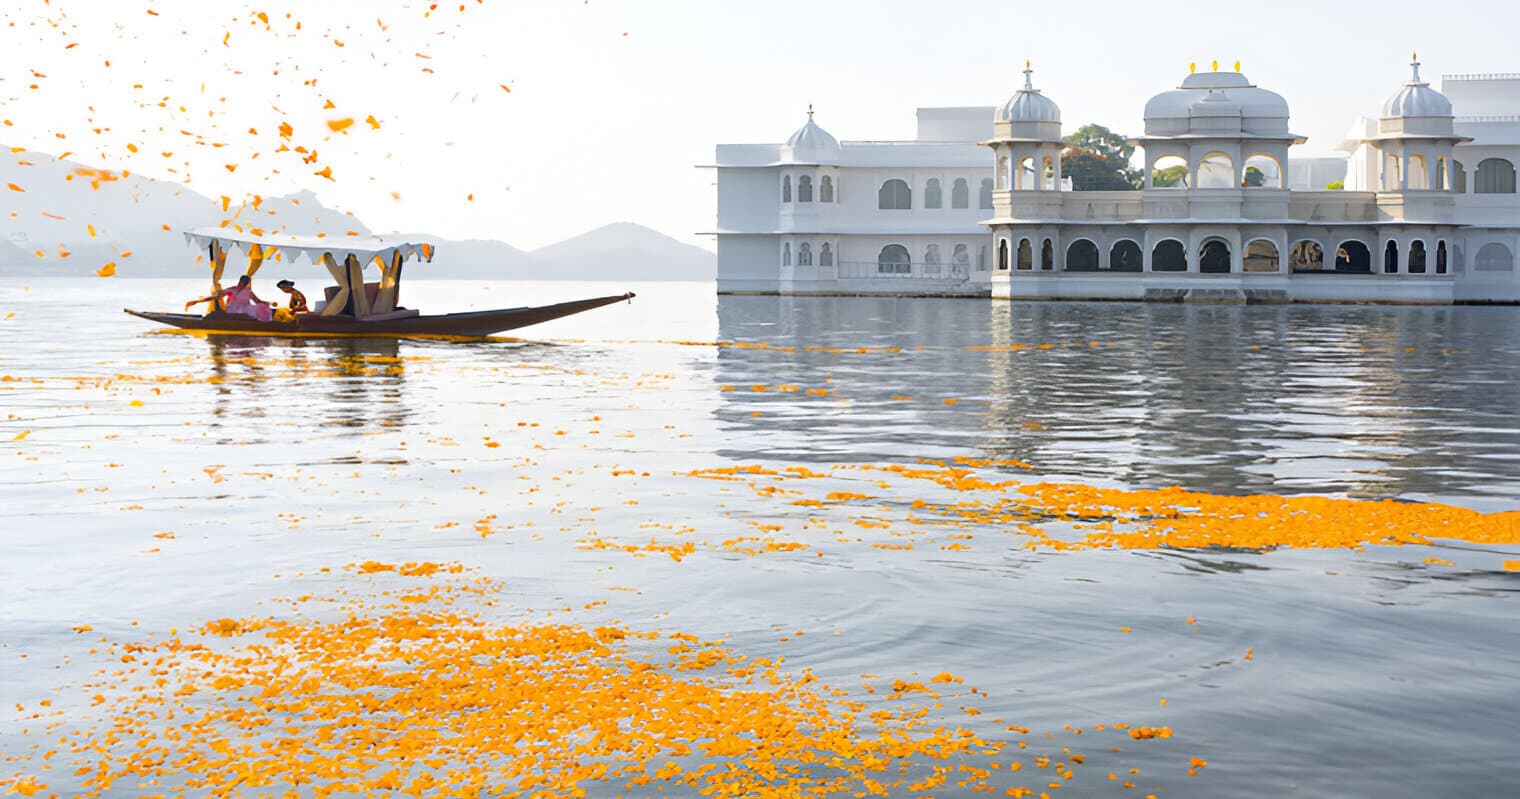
{"type": "Point", "coordinates": [352, 308]}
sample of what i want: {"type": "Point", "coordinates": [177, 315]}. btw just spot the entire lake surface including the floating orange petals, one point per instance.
{"type": "Point", "coordinates": [770, 546]}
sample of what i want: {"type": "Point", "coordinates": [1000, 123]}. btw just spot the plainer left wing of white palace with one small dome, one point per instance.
{"type": "Point", "coordinates": [822, 216]}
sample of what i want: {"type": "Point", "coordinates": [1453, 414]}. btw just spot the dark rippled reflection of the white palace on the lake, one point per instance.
{"type": "Point", "coordinates": [1366, 402]}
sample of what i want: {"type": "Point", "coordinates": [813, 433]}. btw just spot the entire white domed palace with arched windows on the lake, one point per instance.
{"type": "Point", "coordinates": [1427, 209]}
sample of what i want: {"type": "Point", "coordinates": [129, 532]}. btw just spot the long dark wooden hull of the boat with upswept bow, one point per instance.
{"type": "Point", "coordinates": [469, 324]}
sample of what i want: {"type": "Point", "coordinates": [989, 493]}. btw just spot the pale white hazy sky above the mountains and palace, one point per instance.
{"type": "Point", "coordinates": [613, 103]}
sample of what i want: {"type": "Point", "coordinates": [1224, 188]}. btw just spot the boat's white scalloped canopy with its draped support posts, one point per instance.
{"type": "Point", "coordinates": [343, 256]}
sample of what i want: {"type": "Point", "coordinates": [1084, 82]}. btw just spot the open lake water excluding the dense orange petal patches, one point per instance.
{"type": "Point", "coordinates": [1376, 674]}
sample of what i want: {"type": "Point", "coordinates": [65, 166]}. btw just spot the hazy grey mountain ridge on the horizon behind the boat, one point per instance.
{"type": "Point", "coordinates": [66, 221]}
